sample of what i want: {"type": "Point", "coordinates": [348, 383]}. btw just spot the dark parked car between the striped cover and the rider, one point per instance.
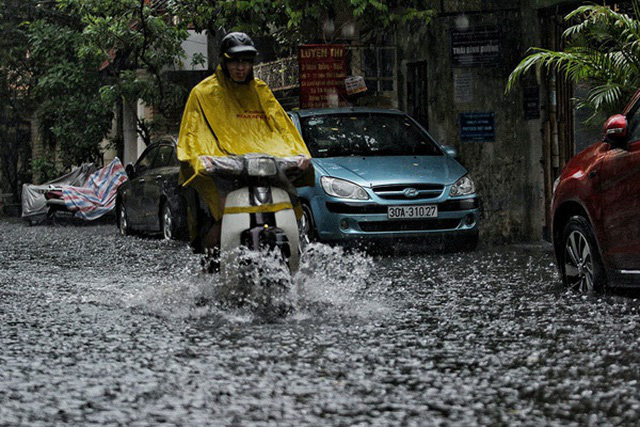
{"type": "Point", "coordinates": [150, 201]}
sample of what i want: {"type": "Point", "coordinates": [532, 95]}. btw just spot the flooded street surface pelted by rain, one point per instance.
{"type": "Point", "coordinates": [100, 329]}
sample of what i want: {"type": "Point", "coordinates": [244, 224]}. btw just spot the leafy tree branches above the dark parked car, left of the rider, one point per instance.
{"type": "Point", "coordinates": [135, 43]}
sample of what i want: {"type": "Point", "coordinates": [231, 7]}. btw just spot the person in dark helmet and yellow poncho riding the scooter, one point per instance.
{"type": "Point", "coordinates": [229, 113]}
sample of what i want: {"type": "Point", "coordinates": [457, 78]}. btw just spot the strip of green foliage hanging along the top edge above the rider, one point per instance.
{"type": "Point", "coordinates": [292, 22]}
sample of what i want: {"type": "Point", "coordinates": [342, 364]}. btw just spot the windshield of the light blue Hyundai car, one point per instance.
{"type": "Point", "coordinates": [365, 135]}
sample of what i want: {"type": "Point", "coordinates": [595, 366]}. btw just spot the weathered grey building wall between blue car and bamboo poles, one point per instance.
{"type": "Point", "coordinates": [506, 170]}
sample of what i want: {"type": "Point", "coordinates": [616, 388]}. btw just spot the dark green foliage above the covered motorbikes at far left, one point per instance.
{"type": "Point", "coordinates": [74, 117]}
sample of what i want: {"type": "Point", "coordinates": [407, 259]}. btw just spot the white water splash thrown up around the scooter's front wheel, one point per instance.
{"type": "Point", "coordinates": [331, 281]}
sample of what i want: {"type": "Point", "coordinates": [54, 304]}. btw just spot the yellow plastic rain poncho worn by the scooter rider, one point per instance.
{"type": "Point", "coordinates": [225, 118]}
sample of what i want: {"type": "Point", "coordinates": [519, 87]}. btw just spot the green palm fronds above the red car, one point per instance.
{"type": "Point", "coordinates": [603, 51]}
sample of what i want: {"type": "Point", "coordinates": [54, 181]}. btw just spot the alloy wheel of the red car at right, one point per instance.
{"type": "Point", "coordinates": [582, 267]}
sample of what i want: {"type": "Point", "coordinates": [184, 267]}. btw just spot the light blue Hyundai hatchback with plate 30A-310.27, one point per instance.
{"type": "Point", "coordinates": [381, 177]}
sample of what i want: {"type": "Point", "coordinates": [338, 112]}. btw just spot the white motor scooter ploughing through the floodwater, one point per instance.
{"type": "Point", "coordinates": [260, 241]}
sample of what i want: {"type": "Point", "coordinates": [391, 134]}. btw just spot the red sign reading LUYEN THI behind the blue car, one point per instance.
{"type": "Point", "coordinates": [323, 70]}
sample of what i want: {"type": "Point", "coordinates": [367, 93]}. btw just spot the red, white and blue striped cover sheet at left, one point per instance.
{"type": "Point", "coordinates": [98, 195]}
